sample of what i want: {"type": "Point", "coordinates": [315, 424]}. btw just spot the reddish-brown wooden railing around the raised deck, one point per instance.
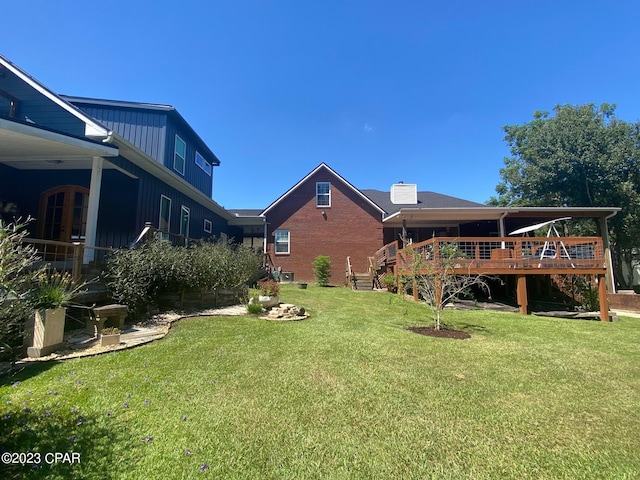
{"type": "Point", "coordinates": [506, 254]}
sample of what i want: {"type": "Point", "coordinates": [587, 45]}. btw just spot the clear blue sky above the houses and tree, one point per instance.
{"type": "Point", "coordinates": [381, 91]}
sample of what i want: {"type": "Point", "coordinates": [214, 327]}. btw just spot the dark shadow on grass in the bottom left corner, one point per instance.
{"type": "Point", "coordinates": [84, 444]}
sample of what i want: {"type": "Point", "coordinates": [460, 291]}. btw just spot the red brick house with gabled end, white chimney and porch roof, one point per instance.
{"type": "Point", "coordinates": [324, 214]}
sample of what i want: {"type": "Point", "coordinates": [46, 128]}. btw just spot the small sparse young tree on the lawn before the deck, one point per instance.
{"type": "Point", "coordinates": [438, 280]}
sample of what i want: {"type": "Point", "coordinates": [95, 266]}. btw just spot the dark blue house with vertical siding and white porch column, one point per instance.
{"type": "Point", "coordinates": [96, 171]}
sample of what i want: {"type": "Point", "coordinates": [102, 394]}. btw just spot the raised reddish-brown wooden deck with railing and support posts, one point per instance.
{"type": "Point", "coordinates": [520, 256]}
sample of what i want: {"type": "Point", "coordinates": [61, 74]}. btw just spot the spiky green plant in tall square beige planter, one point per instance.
{"type": "Point", "coordinates": [51, 293]}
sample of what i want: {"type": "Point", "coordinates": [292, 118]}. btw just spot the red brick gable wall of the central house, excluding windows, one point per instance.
{"type": "Point", "coordinates": [351, 227]}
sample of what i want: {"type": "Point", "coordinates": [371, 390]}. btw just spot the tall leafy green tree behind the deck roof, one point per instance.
{"type": "Point", "coordinates": [585, 156]}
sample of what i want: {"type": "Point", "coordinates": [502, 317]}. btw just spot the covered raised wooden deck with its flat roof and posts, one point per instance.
{"type": "Point", "coordinates": [480, 236]}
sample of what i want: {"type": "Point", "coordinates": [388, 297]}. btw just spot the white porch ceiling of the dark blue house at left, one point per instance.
{"type": "Point", "coordinates": [29, 147]}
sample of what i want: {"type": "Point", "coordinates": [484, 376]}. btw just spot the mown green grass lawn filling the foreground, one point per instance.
{"type": "Point", "coordinates": [348, 393]}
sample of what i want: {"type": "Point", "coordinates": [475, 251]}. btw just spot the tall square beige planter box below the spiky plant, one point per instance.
{"type": "Point", "coordinates": [46, 328]}
